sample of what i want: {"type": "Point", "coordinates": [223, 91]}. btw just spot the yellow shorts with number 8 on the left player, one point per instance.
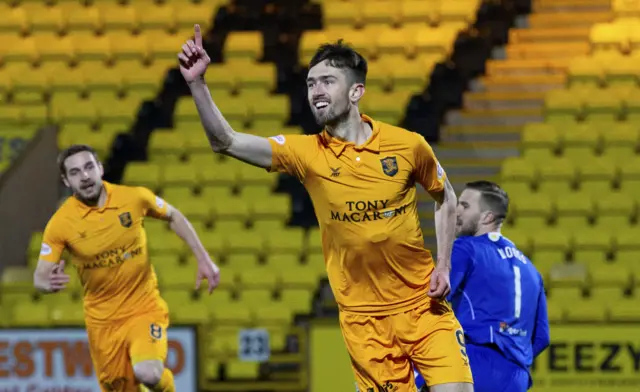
{"type": "Point", "coordinates": [116, 348]}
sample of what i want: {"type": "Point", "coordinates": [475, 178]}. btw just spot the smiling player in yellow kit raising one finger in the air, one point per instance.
{"type": "Point", "coordinates": [361, 176]}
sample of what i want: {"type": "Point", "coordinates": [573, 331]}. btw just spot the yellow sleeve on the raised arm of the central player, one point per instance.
{"type": "Point", "coordinates": [291, 154]}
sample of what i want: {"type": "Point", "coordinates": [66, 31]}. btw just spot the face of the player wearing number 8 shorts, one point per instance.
{"type": "Point", "coordinates": [83, 175]}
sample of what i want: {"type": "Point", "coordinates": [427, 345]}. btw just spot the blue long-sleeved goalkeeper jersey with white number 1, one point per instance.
{"type": "Point", "coordinates": [498, 296]}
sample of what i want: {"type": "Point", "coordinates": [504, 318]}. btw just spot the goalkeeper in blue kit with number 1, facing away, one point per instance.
{"type": "Point", "coordinates": [496, 293]}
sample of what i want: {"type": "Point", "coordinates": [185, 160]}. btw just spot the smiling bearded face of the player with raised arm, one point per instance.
{"type": "Point", "coordinates": [328, 92]}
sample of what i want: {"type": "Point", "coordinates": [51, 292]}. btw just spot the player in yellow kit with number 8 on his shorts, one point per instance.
{"type": "Point", "coordinates": [102, 227]}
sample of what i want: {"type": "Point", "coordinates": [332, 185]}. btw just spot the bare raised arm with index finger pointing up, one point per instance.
{"type": "Point", "coordinates": [223, 139]}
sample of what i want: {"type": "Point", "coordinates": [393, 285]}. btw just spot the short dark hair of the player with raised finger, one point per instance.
{"type": "Point", "coordinates": [341, 55]}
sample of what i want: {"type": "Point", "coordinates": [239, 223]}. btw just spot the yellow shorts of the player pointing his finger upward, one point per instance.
{"type": "Point", "coordinates": [383, 348]}
